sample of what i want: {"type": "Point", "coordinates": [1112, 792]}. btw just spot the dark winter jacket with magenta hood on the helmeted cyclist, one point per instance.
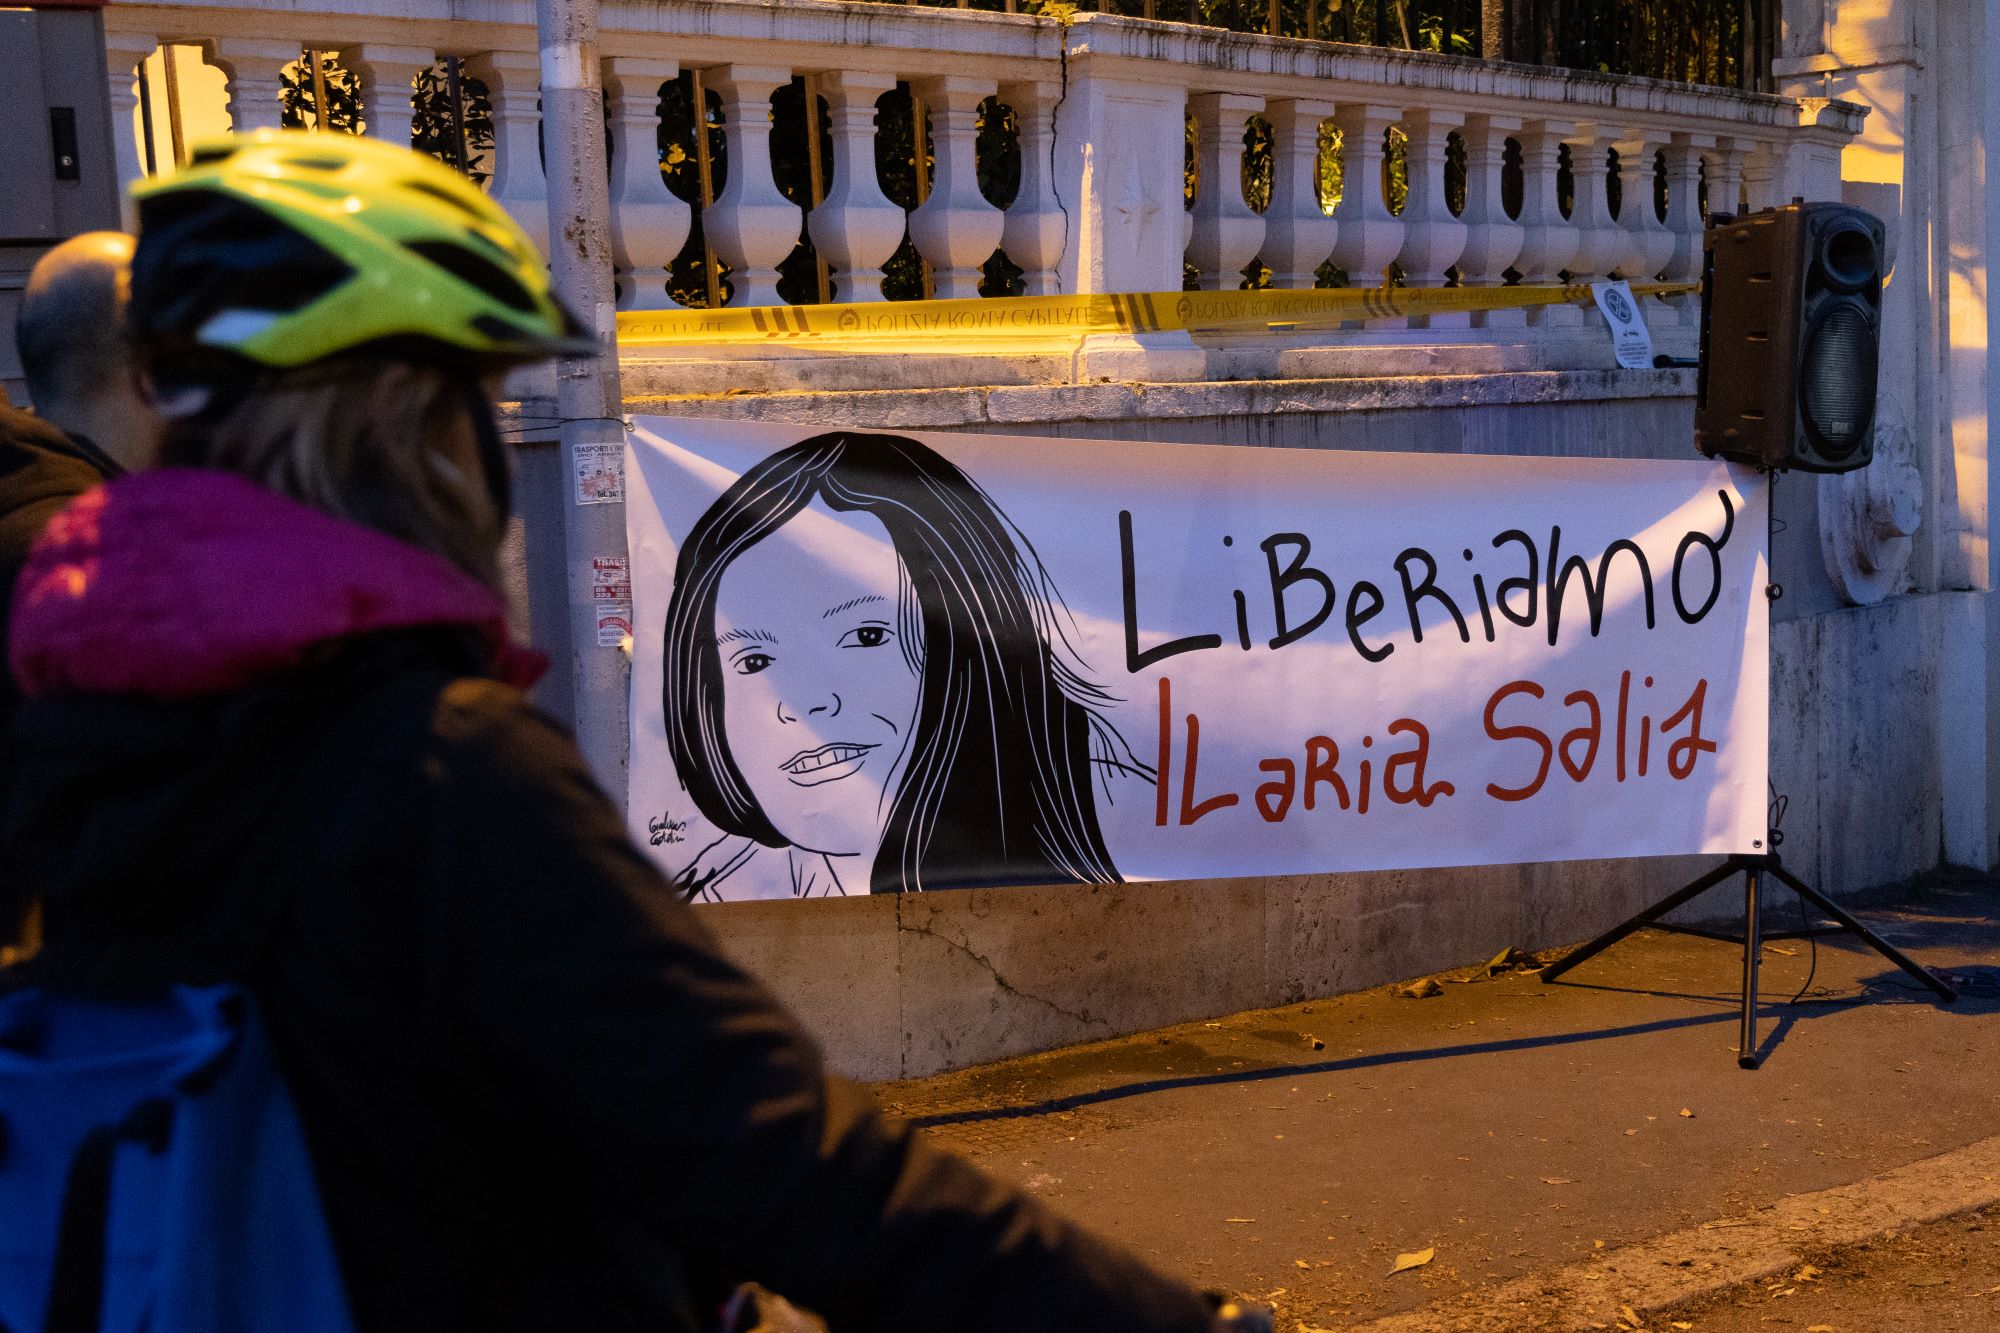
{"type": "Point", "coordinates": [539, 1096]}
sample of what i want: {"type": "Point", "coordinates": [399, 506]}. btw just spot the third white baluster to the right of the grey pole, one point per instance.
{"type": "Point", "coordinates": [857, 227]}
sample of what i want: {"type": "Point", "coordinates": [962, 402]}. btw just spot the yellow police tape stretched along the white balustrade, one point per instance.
{"type": "Point", "coordinates": [1071, 317]}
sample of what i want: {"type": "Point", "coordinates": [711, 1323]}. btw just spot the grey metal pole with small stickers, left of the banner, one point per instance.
{"type": "Point", "coordinates": [589, 399]}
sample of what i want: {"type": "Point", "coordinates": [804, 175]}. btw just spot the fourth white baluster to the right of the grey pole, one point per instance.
{"type": "Point", "coordinates": [955, 227]}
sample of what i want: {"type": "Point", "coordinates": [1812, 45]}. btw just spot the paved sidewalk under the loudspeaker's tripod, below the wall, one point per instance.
{"type": "Point", "coordinates": [1511, 1126]}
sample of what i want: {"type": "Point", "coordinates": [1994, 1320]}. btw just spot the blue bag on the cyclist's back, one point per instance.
{"type": "Point", "coordinates": [155, 1174]}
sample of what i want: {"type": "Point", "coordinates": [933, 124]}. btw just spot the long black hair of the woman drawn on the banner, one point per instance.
{"type": "Point", "coordinates": [999, 786]}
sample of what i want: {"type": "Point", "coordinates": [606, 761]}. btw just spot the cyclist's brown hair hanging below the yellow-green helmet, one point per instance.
{"type": "Point", "coordinates": [385, 443]}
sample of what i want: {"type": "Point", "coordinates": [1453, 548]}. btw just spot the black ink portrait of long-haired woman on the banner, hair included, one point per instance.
{"type": "Point", "coordinates": [867, 674]}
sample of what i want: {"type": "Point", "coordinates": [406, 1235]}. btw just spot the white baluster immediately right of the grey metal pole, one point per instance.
{"type": "Point", "coordinates": [649, 225]}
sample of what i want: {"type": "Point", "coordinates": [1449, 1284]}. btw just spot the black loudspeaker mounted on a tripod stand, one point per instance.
{"type": "Point", "coordinates": [1791, 331]}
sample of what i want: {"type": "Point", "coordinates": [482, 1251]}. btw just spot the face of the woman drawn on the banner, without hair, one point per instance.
{"type": "Point", "coordinates": [819, 696]}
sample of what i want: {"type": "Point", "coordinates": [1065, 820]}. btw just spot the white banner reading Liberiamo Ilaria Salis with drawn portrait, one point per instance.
{"type": "Point", "coordinates": [873, 661]}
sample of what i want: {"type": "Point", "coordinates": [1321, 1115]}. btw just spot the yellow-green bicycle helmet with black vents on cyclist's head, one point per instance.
{"type": "Point", "coordinates": [285, 249]}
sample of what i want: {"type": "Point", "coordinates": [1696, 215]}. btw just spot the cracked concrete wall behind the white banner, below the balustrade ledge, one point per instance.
{"type": "Point", "coordinates": [921, 984]}
